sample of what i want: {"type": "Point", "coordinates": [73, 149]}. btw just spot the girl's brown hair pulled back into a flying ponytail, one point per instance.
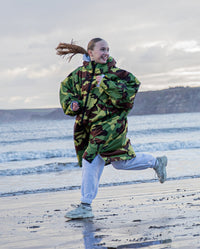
{"type": "Point", "coordinates": [64, 49]}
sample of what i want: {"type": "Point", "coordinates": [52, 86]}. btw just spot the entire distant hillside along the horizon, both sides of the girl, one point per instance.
{"type": "Point", "coordinates": [172, 100]}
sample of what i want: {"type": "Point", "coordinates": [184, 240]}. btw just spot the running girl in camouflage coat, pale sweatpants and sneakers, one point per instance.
{"type": "Point", "coordinates": [101, 95]}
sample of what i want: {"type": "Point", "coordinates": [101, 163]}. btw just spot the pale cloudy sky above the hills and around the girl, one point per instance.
{"type": "Point", "coordinates": [157, 40]}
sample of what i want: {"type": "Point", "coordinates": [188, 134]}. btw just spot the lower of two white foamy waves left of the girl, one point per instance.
{"type": "Point", "coordinates": [43, 169]}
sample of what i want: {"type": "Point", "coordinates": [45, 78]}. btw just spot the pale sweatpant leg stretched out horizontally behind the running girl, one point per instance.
{"type": "Point", "coordinates": [140, 162]}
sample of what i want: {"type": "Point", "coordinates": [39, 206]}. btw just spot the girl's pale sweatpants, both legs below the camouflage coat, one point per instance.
{"type": "Point", "coordinates": [91, 172]}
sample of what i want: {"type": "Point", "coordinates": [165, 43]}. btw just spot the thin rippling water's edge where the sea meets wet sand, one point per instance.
{"type": "Point", "coordinates": [67, 188]}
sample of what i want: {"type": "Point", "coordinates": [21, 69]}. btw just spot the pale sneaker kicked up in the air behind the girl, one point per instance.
{"type": "Point", "coordinates": [160, 168]}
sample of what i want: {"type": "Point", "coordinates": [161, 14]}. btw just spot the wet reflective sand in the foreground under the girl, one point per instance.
{"type": "Point", "coordinates": [145, 215]}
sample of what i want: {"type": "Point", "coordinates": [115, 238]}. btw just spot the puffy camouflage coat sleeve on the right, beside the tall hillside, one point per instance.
{"type": "Point", "coordinates": [121, 88]}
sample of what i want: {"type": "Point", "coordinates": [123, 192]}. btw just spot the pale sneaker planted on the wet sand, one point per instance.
{"type": "Point", "coordinates": [81, 211]}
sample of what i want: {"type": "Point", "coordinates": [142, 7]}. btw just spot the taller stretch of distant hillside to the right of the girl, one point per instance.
{"type": "Point", "coordinates": [172, 100]}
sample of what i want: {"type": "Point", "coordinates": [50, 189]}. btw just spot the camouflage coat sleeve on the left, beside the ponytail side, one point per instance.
{"type": "Point", "coordinates": [70, 91]}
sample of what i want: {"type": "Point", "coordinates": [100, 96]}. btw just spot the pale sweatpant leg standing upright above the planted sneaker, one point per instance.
{"type": "Point", "coordinates": [91, 173]}
